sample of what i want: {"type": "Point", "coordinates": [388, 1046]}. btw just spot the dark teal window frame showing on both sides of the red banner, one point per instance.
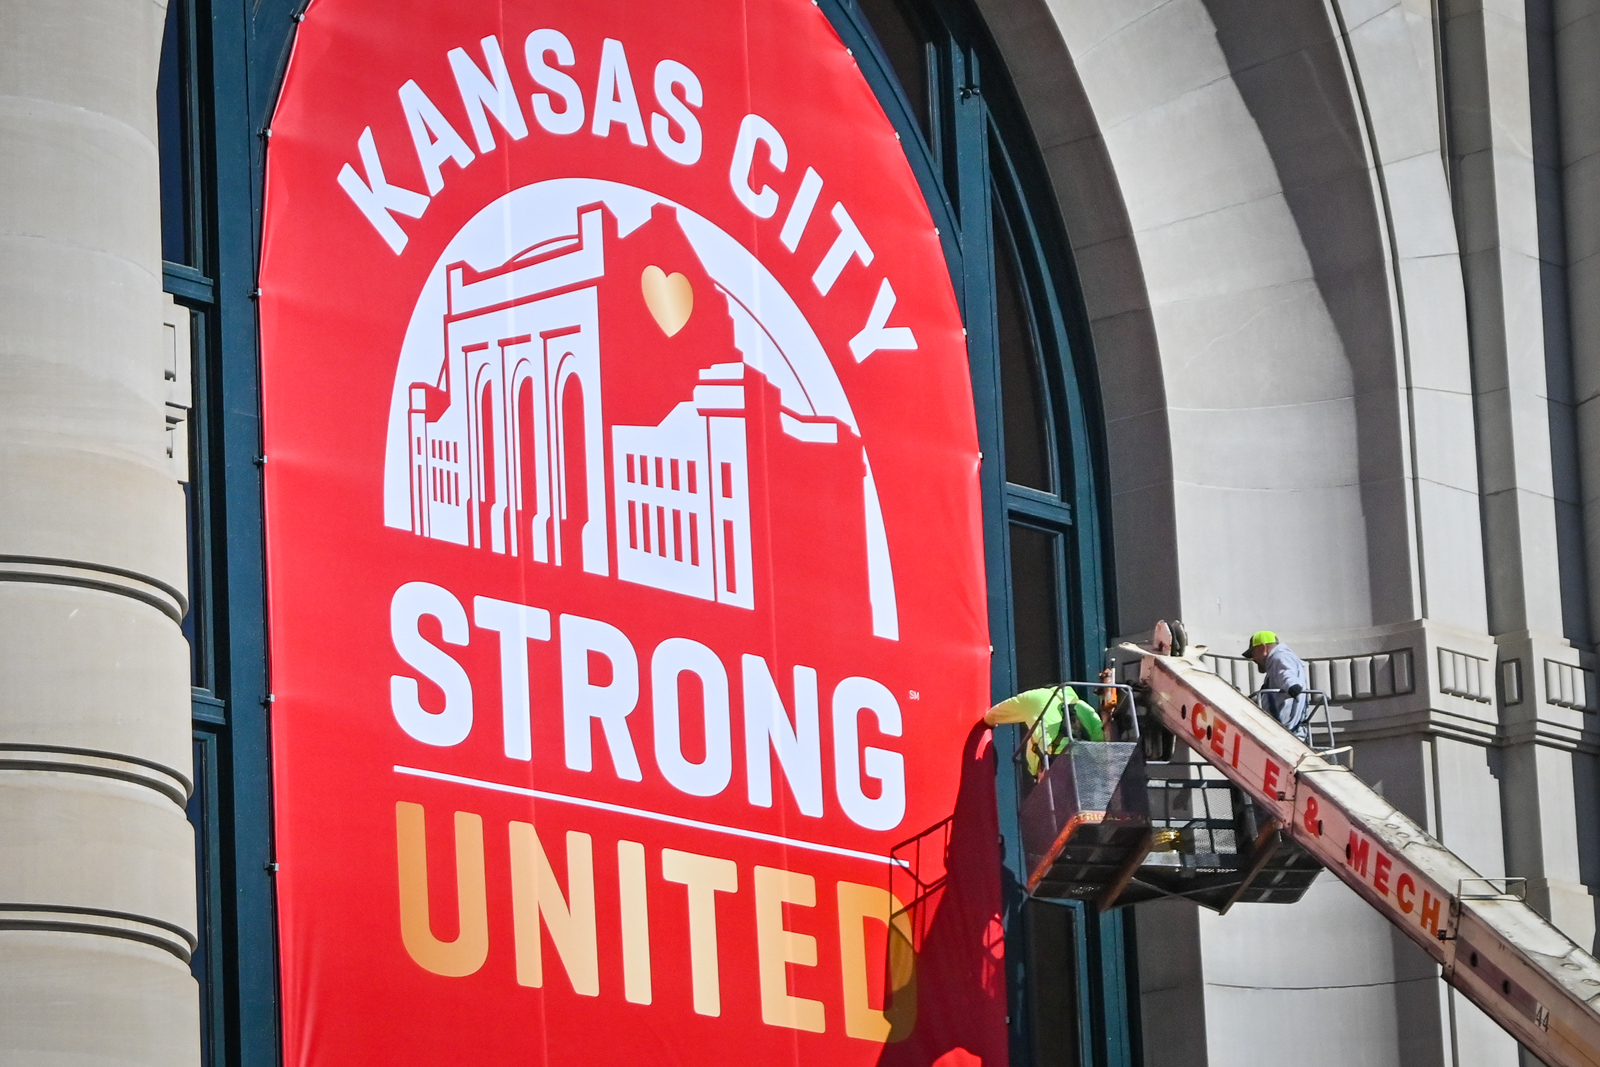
{"type": "Point", "coordinates": [1073, 993]}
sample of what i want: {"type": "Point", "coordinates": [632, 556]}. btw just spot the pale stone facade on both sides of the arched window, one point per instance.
{"type": "Point", "coordinates": [1342, 265]}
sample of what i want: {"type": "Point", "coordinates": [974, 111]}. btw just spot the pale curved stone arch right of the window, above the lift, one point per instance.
{"type": "Point", "coordinates": [1214, 174]}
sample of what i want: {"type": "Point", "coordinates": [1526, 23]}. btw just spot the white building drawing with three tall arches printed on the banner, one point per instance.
{"type": "Point", "coordinates": [490, 471]}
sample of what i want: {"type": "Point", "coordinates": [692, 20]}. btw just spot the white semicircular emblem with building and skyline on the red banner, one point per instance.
{"type": "Point", "coordinates": [500, 391]}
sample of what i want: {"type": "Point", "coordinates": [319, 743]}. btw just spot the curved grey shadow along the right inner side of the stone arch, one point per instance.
{"type": "Point", "coordinates": [1292, 78]}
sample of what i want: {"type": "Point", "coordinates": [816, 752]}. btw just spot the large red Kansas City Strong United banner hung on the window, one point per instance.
{"type": "Point", "coordinates": [625, 549]}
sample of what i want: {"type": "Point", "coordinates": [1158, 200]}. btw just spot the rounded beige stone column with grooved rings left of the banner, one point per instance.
{"type": "Point", "coordinates": [97, 858]}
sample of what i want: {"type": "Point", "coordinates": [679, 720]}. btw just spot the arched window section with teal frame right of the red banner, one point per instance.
{"type": "Point", "coordinates": [945, 89]}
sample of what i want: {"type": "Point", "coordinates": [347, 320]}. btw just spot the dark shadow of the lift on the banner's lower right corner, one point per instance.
{"type": "Point", "coordinates": [958, 1012]}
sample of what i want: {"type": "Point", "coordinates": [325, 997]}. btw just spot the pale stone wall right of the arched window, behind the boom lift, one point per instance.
{"type": "Point", "coordinates": [1340, 262]}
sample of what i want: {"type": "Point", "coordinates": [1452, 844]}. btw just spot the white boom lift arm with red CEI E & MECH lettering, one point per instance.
{"type": "Point", "coordinates": [1502, 954]}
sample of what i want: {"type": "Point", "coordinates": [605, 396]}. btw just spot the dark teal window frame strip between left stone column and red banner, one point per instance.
{"type": "Point", "coordinates": [222, 63]}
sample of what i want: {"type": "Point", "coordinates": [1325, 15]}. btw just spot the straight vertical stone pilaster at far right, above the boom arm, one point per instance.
{"type": "Point", "coordinates": [1524, 447]}
